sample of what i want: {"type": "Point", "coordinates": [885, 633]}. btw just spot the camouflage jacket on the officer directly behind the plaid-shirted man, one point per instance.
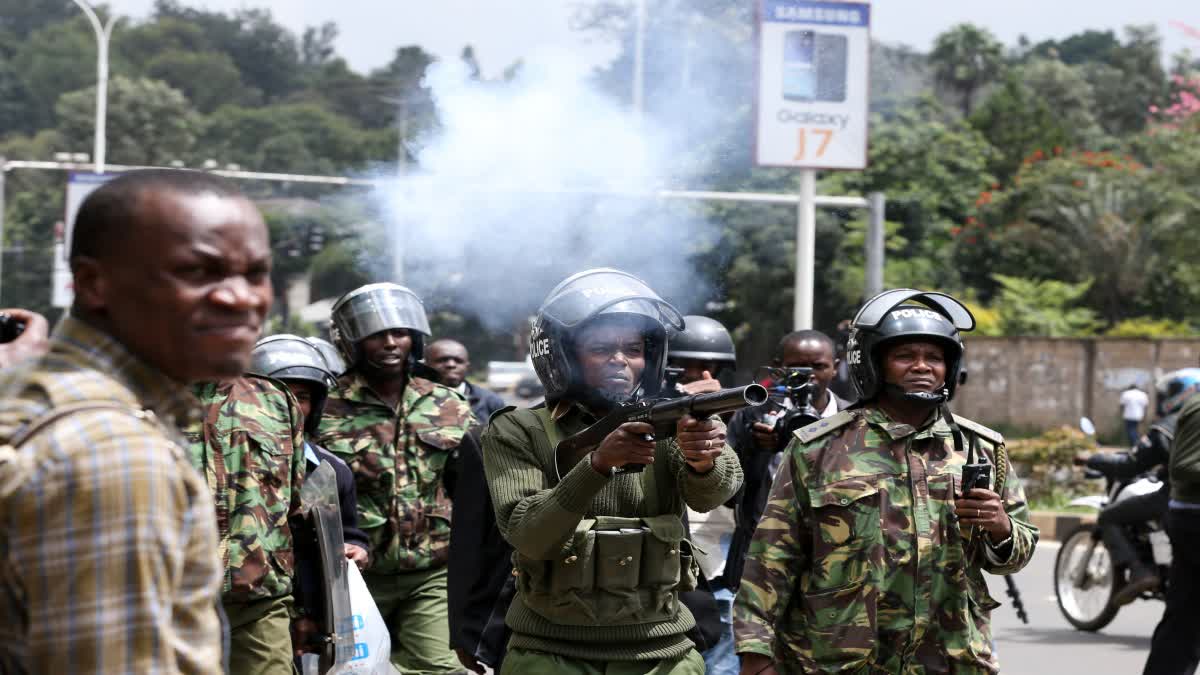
{"type": "Point", "coordinates": [250, 449]}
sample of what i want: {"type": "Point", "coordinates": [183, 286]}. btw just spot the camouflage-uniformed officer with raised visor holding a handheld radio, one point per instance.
{"type": "Point", "coordinates": [869, 557]}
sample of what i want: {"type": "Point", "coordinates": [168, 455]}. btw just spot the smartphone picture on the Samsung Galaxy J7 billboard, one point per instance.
{"type": "Point", "coordinates": [814, 67]}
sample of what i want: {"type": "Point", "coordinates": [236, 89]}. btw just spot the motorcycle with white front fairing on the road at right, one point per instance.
{"type": "Point", "coordinates": [1085, 581]}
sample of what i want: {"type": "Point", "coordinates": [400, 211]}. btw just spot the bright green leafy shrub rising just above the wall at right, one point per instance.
{"type": "Point", "coordinates": [1029, 307]}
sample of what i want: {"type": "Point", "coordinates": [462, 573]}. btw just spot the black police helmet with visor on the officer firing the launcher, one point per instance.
{"type": "Point", "coordinates": [593, 295]}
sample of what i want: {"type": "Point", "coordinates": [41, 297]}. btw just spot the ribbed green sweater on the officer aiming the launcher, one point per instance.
{"type": "Point", "coordinates": [537, 515]}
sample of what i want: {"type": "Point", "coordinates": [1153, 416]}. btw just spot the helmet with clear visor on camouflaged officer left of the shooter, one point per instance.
{"type": "Point", "coordinates": [376, 308]}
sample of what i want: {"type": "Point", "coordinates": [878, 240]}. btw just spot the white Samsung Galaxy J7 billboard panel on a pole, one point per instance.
{"type": "Point", "coordinates": [813, 85]}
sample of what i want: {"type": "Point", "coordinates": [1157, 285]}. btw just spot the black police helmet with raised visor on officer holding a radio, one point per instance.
{"type": "Point", "coordinates": [896, 316]}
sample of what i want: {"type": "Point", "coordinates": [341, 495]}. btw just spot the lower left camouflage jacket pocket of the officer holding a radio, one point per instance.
{"type": "Point", "coordinates": [843, 622]}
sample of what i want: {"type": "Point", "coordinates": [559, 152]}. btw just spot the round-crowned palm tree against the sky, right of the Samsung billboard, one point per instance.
{"type": "Point", "coordinates": [965, 59]}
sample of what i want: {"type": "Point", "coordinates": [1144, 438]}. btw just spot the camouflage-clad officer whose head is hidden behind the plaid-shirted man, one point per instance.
{"type": "Point", "coordinates": [250, 449]}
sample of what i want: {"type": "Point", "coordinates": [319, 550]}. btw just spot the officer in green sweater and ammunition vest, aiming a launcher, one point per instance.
{"type": "Point", "coordinates": [602, 553]}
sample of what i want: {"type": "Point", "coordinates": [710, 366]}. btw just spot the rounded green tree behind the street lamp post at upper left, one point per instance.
{"type": "Point", "coordinates": [149, 123]}
